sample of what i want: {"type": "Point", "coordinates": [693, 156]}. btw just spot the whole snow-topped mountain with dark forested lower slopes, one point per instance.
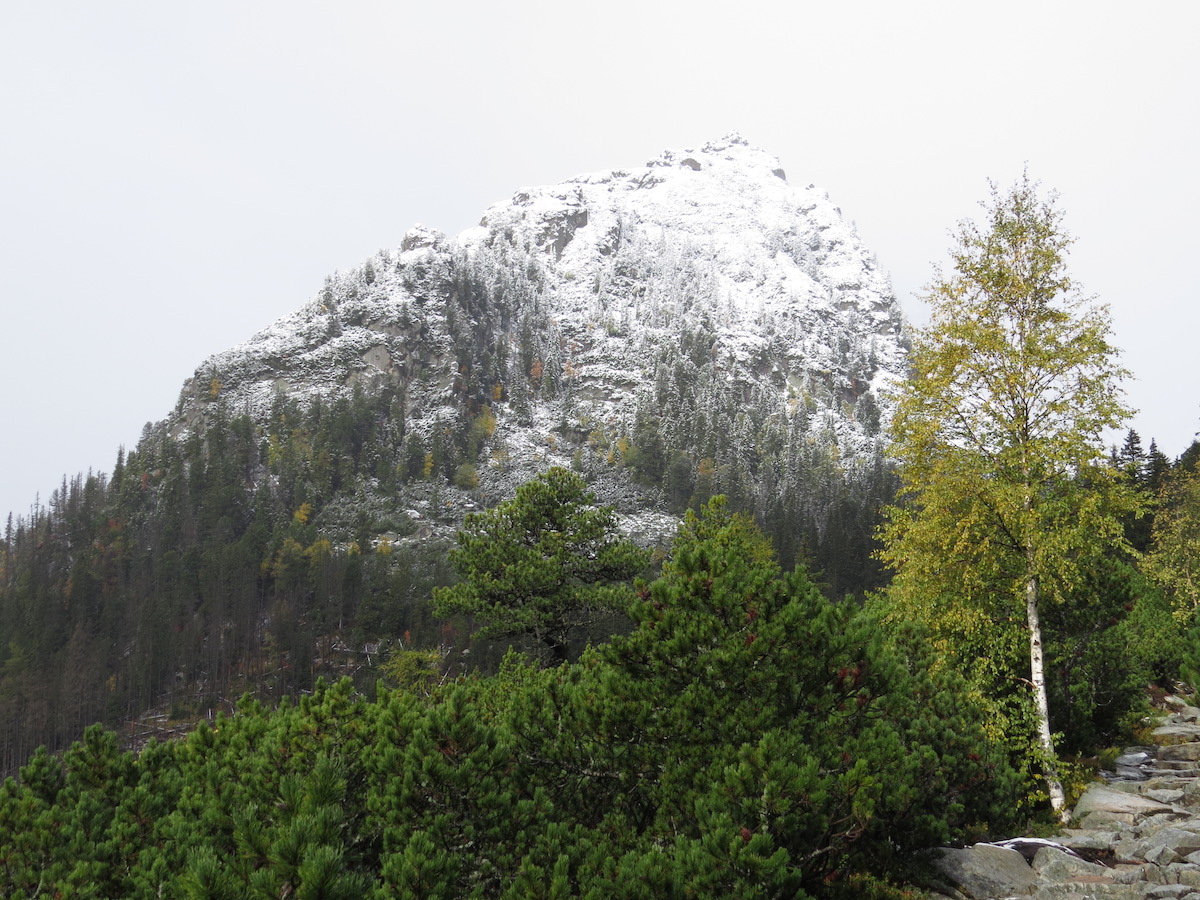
{"type": "Point", "coordinates": [693, 327]}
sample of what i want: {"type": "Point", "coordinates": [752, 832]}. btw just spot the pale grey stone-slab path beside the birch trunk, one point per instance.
{"type": "Point", "coordinates": [1135, 837]}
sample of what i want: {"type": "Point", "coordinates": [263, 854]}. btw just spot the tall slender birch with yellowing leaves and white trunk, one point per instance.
{"type": "Point", "coordinates": [1006, 490]}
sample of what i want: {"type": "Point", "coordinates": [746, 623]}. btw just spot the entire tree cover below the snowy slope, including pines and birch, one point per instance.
{"type": "Point", "coordinates": [302, 693]}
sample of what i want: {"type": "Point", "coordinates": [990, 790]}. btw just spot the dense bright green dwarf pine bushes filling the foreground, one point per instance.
{"type": "Point", "coordinates": [748, 740]}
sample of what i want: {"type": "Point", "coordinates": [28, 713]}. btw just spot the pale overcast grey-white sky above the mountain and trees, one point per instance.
{"type": "Point", "coordinates": [176, 177]}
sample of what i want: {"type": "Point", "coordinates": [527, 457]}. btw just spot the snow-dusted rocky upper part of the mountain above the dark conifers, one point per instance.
{"type": "Point", "coordinates": [710, 244]}
